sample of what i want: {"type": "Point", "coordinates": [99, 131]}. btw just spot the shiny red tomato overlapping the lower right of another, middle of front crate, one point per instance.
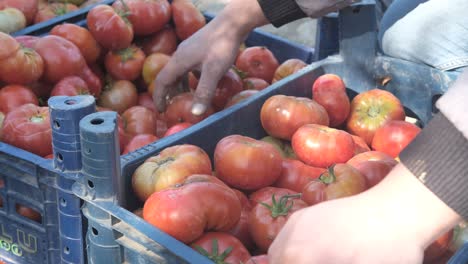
{"type": "Point", "coordinates": [322, 146]}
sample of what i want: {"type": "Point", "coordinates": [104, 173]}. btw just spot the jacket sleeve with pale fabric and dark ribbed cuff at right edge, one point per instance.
{"type": "Point", "coordinates": [438, 156]}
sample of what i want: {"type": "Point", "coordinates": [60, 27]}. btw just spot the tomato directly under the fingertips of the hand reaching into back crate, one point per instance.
{"type": "Point", "coordinates": [179, 110]}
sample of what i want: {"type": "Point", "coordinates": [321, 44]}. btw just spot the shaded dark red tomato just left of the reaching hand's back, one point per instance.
{"type": "Point", "coordinates": [163, 41]}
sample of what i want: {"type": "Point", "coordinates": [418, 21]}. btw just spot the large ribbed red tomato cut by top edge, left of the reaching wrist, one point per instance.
{"type": "Point", "coordinates": [146, 16]}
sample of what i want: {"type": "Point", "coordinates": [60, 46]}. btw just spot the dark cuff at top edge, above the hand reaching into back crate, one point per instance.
{"type": "Point", "coordinates": [281, 12]}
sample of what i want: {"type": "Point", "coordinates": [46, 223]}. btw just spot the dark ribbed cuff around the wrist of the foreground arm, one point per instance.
{"type": "Point", "coordinates": [438, 157]}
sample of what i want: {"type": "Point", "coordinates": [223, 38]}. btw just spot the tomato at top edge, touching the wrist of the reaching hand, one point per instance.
{"type": "Point", "coordinates": [187, 18]}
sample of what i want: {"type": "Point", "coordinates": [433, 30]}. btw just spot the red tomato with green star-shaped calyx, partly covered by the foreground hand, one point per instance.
{"type": "Point", "coordinates": [269, 216]}
